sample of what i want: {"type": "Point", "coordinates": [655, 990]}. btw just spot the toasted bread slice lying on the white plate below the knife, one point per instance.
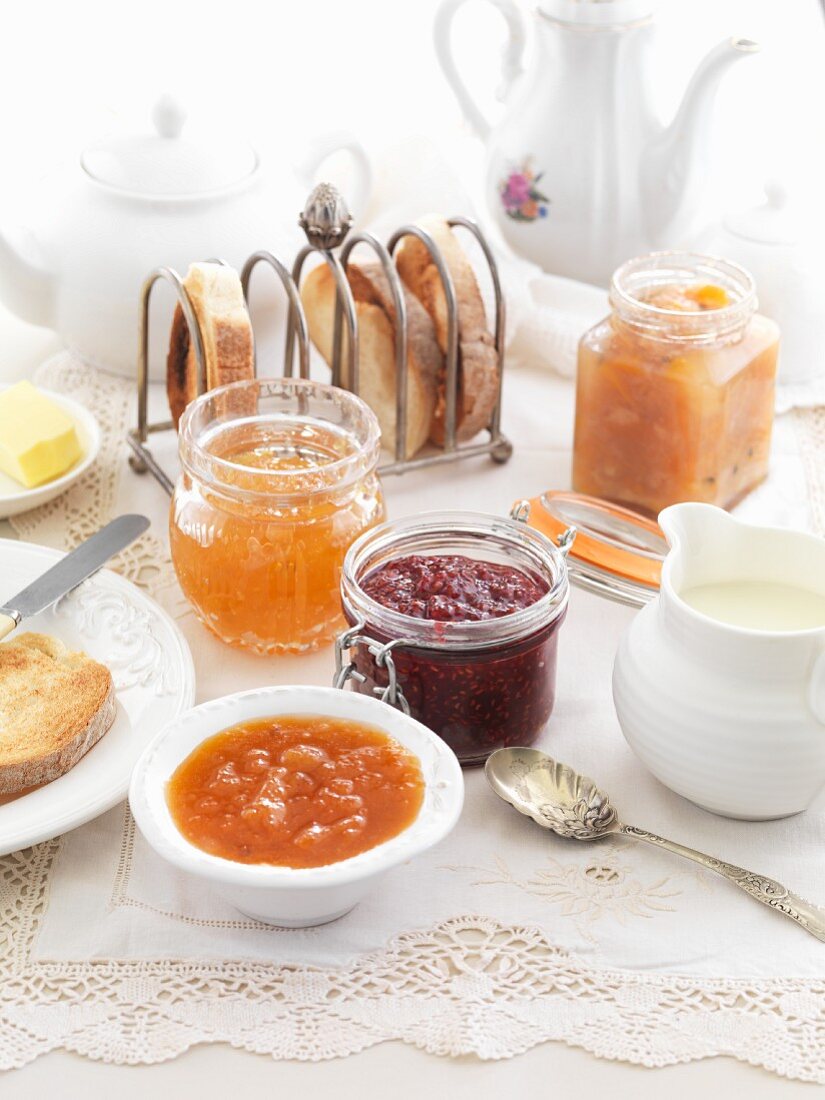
{"type": "Point", "coordinates": [54, 707]}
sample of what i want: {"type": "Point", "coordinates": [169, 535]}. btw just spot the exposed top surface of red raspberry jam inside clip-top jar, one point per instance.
{"type": "Point", "coordinates": [453, 589]}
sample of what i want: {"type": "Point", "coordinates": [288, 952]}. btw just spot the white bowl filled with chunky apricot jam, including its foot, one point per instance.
{"type": "Point", "coordinates": [294, 801]}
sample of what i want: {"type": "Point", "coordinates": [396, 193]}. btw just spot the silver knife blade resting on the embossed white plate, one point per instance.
{"type": "Point", "coordinates": [76, 567]}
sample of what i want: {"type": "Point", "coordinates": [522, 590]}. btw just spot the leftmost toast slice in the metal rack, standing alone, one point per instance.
{"type": "Point", "coordinates": [217, 298]}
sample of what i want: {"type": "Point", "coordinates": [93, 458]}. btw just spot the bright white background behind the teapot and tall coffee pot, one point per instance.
{"type": "Point", "coordinates": [278, 72]}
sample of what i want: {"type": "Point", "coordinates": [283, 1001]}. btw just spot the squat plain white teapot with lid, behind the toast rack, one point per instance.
{"type": "Point", "coordinates": [139, 202]}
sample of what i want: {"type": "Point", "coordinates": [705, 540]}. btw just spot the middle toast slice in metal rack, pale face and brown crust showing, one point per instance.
{"type": "Point", "coordinates": [377, 321]}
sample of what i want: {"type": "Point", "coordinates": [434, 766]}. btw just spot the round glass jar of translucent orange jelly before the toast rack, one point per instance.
{"type": "Point", "coordinates": [279, 479]}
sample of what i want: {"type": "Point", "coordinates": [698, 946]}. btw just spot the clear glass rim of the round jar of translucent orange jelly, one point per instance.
{"type": "Point", "coordinates": [201, 463]}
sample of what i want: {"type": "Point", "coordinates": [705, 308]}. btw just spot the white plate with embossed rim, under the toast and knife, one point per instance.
{"type": "Point", "coordinates": [155, 679]}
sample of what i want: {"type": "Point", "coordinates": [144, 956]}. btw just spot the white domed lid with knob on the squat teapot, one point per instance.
{"type": "Point", "coordinates": [167, 162]}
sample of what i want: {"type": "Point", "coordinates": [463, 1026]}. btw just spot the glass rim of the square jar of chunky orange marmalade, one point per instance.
{"type": "Point", "coordinates": [659, 269]}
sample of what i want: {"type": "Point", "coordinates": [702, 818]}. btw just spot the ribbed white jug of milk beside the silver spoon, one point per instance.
{"type": "Point", "coordinates": [728, 717]}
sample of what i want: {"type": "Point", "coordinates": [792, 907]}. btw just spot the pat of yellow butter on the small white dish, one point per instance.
{"type": "Point", "coordinates": [38, 438]}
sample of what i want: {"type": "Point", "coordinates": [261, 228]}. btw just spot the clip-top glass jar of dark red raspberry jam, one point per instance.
{"type": "Point", "coordinates": [455, 618]}
